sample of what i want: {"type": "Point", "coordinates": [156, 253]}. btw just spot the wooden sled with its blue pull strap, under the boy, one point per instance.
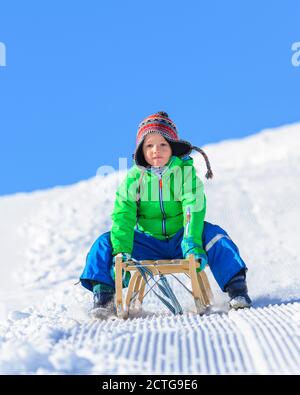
{"type": "Point", "coordinates": [157, 271]}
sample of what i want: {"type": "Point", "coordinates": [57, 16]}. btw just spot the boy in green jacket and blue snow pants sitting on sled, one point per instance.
{"type": "Point", "coordinates": [159, 213]}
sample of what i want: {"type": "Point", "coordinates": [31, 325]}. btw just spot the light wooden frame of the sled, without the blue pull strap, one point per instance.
{"type": "Point", "coordinates": [201, 290]}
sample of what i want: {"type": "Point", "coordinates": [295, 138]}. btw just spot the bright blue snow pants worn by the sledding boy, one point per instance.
{"type": "Point", "coordinates": [223, 255]}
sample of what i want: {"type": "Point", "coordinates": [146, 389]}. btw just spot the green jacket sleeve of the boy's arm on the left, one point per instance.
{"type": "Point", "coordinates": [124, 216]}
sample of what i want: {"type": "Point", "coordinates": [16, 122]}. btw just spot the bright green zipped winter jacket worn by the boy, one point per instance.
{"type": "Point", "coordinates": [164, 207]}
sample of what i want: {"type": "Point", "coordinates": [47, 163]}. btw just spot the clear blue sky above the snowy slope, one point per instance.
{"type": "Point", "coordinates": [80, 76]}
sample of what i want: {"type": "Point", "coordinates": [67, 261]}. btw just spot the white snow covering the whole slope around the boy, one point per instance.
{"type": "Point", "coordinates": [45, 236]}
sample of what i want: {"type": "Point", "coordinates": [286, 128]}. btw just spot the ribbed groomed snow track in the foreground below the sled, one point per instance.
{"type": "Point", "coordinates": [255, 341]}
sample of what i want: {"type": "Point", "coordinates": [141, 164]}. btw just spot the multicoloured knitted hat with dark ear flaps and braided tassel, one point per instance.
{"type": "Point", "coordinates": [162, 124]}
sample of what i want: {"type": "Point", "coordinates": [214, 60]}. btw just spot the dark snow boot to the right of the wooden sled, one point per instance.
{"type": "Point", "coordinates": [238, 292]}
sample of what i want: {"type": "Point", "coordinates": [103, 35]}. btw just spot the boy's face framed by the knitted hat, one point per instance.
{"type": "Point", "coordinates": [156, 149]}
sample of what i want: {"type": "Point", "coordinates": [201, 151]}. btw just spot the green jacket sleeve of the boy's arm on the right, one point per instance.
{"type": "Point", "coordinates": [194, 209]}
